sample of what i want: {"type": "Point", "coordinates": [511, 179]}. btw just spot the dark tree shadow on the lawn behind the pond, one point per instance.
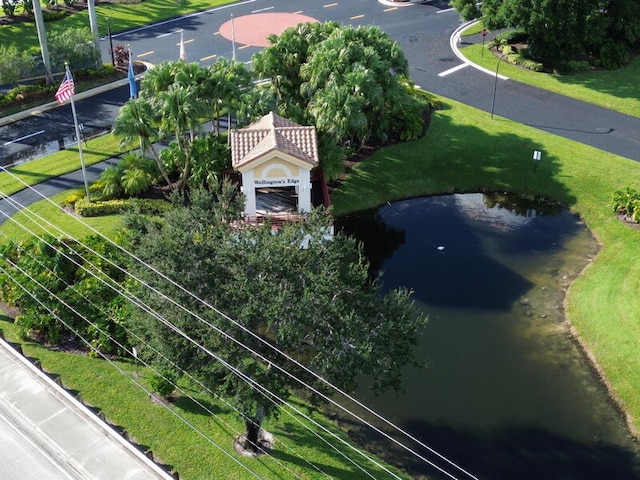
{"type": "Point", "coordinates": [456, 157]}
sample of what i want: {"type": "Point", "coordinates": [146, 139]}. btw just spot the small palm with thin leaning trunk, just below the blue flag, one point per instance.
{"type": "Point", "coordinates": [136, 120]}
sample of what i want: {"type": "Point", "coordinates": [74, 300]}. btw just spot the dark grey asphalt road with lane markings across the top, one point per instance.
{"type": "Point", "coordinates": [423, 31]}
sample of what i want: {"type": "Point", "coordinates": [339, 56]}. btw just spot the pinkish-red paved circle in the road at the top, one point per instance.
{"type": "Point", "coordinates": [254, 29]}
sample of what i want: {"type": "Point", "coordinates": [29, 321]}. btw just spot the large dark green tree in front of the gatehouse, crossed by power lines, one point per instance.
{"type": "Point", "coordinates": [317, 304]}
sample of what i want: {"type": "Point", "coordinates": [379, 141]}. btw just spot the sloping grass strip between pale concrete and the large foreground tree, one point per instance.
{"type": "Point", "coordinates": [297, 453]}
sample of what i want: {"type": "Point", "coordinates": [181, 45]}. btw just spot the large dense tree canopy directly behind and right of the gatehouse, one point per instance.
{"type": "Point", "coordinates": [350, 82]}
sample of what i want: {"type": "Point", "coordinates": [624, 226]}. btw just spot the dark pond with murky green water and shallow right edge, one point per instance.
{"type": "Point", "coordinates": [506, 392]}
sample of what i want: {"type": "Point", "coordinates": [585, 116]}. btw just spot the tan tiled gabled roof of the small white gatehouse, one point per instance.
{"type": "Point", "coordinates": [273, 132]}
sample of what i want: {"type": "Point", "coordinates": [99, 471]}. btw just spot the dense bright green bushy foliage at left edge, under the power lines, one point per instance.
{"type": "Point", "coordinates": [69, 279]}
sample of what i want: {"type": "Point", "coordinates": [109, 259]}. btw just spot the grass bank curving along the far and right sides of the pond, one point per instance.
{"type": "Point", "coordinates": [465, 152]}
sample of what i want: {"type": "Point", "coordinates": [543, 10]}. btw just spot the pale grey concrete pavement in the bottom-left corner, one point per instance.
{"type": "Point", "coordinates": [46, 433]}
